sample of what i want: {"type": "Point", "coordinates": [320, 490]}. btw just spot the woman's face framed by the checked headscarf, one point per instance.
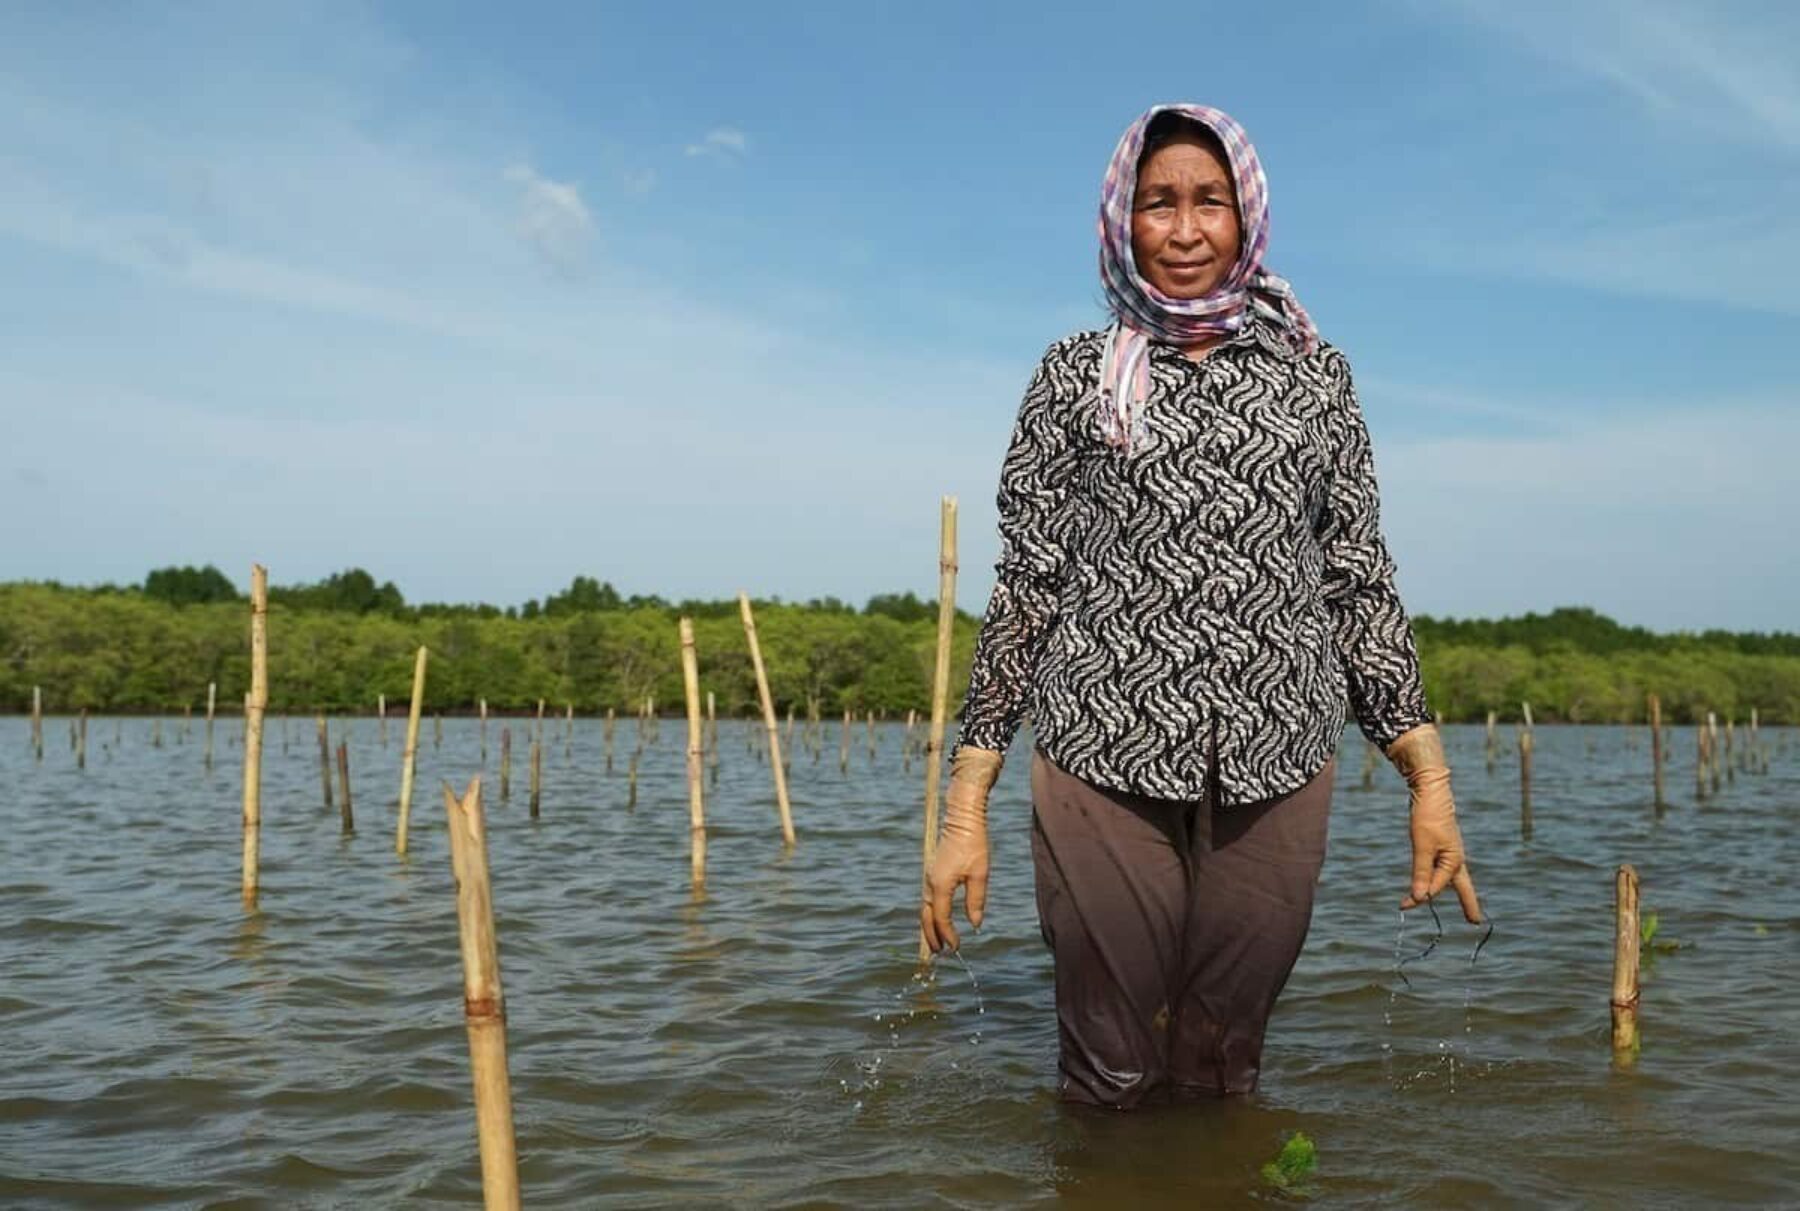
{"type": "Point", "coordinates": [1185, 228]}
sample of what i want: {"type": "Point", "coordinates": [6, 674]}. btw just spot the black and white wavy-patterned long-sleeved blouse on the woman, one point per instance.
{"type": "Point", "coordinates": [1228, 573]}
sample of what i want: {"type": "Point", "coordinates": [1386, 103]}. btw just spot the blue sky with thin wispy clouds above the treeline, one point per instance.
{"type": "Point", "coordinates": [712, 298]}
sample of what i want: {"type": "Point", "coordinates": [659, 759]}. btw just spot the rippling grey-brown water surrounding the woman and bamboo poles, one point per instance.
{"type": "Point", "coordinates": [771, 1045]}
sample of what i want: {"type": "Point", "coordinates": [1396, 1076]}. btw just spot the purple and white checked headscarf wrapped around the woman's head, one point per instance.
{"type": "Point", "coordinates": [1144, 314]}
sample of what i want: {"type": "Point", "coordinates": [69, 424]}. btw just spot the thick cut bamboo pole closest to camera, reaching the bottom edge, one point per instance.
{"type": "Point", "coordinates": [483, 1000]}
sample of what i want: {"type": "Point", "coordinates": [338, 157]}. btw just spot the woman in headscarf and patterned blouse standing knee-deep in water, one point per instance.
{"type": "Point", "coordinates": [1192, 577]}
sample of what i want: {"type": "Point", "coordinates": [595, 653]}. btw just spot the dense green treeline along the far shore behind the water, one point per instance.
{"type": "Point", "coordinates": [341, 643]}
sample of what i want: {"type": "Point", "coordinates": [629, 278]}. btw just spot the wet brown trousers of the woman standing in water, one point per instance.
{"type": "Point", "coordinates": [1174, 926]}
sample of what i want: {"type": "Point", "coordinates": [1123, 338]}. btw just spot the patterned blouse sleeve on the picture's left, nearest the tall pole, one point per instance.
{"type": "Point", "coordinates": [1029, 571]}
